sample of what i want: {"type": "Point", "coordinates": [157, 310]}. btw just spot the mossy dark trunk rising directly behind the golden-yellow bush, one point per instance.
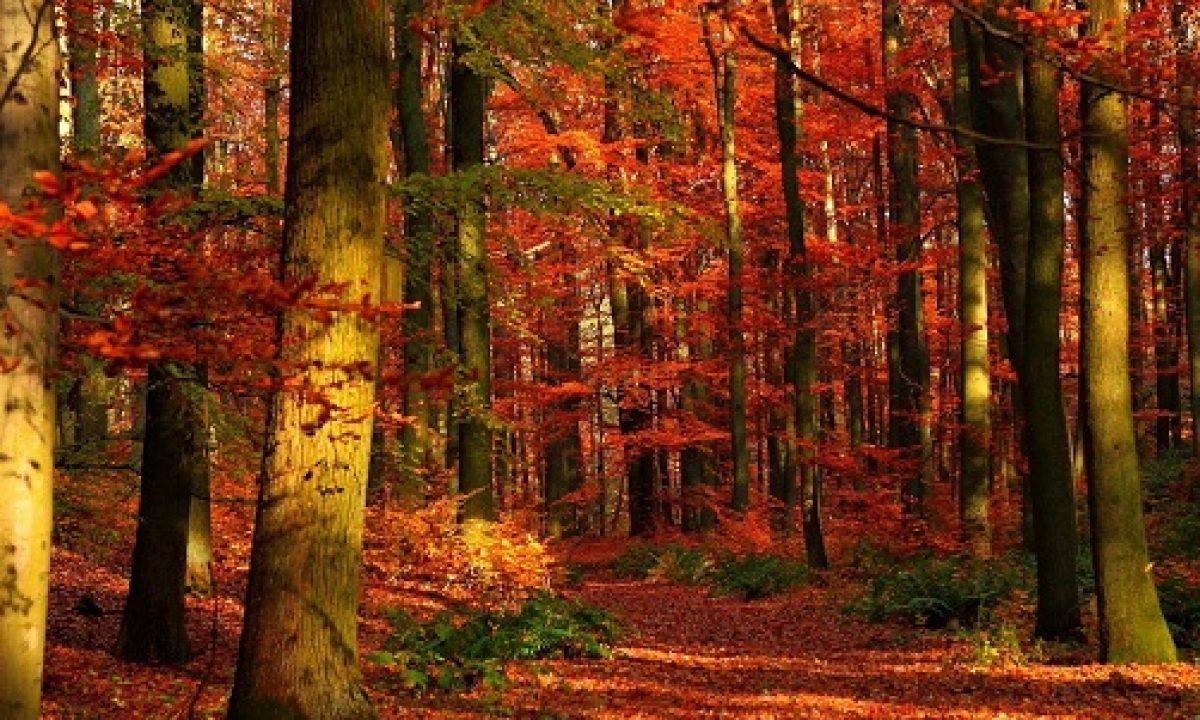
{"type": "Point", "coordinates": [469, 101]}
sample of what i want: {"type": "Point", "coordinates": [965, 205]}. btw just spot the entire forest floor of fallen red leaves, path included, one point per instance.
{"type": "Point", "coordinates": [686, 655]}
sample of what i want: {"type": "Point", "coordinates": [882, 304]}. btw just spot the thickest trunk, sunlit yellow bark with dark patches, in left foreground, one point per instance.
{"type": "Point", "coordinates": [299, 647]}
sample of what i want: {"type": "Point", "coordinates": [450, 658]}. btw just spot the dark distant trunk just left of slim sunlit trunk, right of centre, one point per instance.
{"type": "Point", "coordinates": [909, 361]}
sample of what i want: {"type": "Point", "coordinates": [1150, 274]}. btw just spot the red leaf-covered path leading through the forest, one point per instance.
{"type": "Point", "coordinates": [693, 656]}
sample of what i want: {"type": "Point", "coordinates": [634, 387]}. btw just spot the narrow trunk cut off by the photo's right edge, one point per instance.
{"type": "Point", "coordinates": [1190, 205]}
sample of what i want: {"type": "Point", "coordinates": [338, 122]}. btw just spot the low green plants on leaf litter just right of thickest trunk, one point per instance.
{"type": "Point", "coordinates": [461, 649]}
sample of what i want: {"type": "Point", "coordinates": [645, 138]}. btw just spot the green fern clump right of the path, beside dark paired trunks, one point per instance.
{"type": "Point", "coordinates": [937, 592]}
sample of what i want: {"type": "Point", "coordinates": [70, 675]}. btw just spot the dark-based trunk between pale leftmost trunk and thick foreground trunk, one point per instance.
{"type": "Point", "coordinates": [175, 452]}
